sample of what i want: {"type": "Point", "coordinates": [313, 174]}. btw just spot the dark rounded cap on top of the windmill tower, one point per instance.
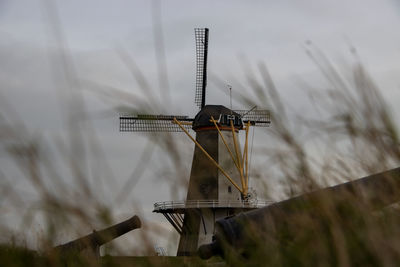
{"type": "Point", "coordinates": [219, 113]}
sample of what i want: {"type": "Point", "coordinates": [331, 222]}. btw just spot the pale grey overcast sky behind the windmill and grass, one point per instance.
{"type": "Point", "coordinates": [95, 32]}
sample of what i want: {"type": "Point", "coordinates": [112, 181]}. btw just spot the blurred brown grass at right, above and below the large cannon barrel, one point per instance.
{"type": "Point", "coordinates": [354, 127]}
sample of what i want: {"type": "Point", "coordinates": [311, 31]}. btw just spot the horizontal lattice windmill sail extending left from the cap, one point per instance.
{"type": "Point", "coordinates": [152, 123]}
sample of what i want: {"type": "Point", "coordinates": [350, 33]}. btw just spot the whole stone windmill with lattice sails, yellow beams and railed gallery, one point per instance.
{"type": "Point", "coordinates": [218, 185]}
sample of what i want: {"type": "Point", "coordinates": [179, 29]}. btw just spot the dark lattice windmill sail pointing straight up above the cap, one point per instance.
{"type": "Point", "coordinates": [201, 36]}
